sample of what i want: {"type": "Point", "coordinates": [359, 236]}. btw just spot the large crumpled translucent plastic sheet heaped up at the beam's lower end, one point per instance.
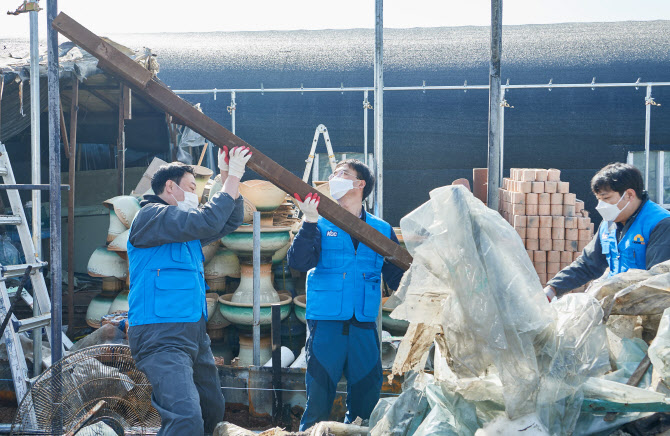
{"type": "Point", "coordinates": [472, 275]}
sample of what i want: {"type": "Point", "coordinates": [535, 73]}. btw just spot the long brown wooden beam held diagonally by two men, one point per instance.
{"type": "Point", "coordinates": [159, 95]}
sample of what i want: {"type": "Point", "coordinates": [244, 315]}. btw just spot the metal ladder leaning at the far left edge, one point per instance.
{"type": "Point", "coordinates": [11, 335]}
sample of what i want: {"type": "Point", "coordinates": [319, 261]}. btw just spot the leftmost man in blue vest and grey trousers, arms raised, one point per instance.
{"type": "Point", "coordinates": [168, 312]}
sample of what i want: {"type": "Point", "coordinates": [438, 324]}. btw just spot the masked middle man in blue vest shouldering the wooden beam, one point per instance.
{"type": "Point", "coordinates": [343, 299]}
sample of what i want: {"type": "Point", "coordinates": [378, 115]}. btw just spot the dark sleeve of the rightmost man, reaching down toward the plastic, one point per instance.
{"type": "Point", "coordinates": [590, 265]}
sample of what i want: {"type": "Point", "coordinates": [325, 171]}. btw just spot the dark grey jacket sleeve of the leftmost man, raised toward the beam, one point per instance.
{"type": "Point", "coordinates": [156, 225]}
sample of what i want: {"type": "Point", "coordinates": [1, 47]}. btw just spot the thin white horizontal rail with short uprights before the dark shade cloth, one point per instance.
{"type": "Point", "coordinates": [648, 102]}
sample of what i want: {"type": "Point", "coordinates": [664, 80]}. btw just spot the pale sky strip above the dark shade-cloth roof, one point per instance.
{"type": "Point", "coordinates": [141, 16]}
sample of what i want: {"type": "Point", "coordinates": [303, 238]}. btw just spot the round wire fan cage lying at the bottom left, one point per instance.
{"type": "Point", "coordinates": [63, 395]}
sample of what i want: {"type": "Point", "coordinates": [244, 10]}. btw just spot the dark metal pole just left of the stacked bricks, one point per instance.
{"type": "Point", "coordinates": [494, 157]}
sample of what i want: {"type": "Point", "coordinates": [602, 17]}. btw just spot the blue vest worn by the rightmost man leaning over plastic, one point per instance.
{"type": "Point", "coordinates": [631, 252]}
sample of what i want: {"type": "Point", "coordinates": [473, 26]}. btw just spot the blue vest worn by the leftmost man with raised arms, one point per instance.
{"type": "Point", "coordinates": [167, 283]}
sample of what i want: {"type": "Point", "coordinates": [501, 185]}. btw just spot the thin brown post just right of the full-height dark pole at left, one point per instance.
{"type": "Point", "coordinates": [74, 109]}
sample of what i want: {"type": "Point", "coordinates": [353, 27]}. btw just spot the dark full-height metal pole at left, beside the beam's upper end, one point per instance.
{"type": "Point", "coordinates": [55, 260]}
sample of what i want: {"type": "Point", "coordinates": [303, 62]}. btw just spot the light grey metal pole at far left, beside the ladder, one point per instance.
{"type": "Point", "coordinates": [35, 107]}
